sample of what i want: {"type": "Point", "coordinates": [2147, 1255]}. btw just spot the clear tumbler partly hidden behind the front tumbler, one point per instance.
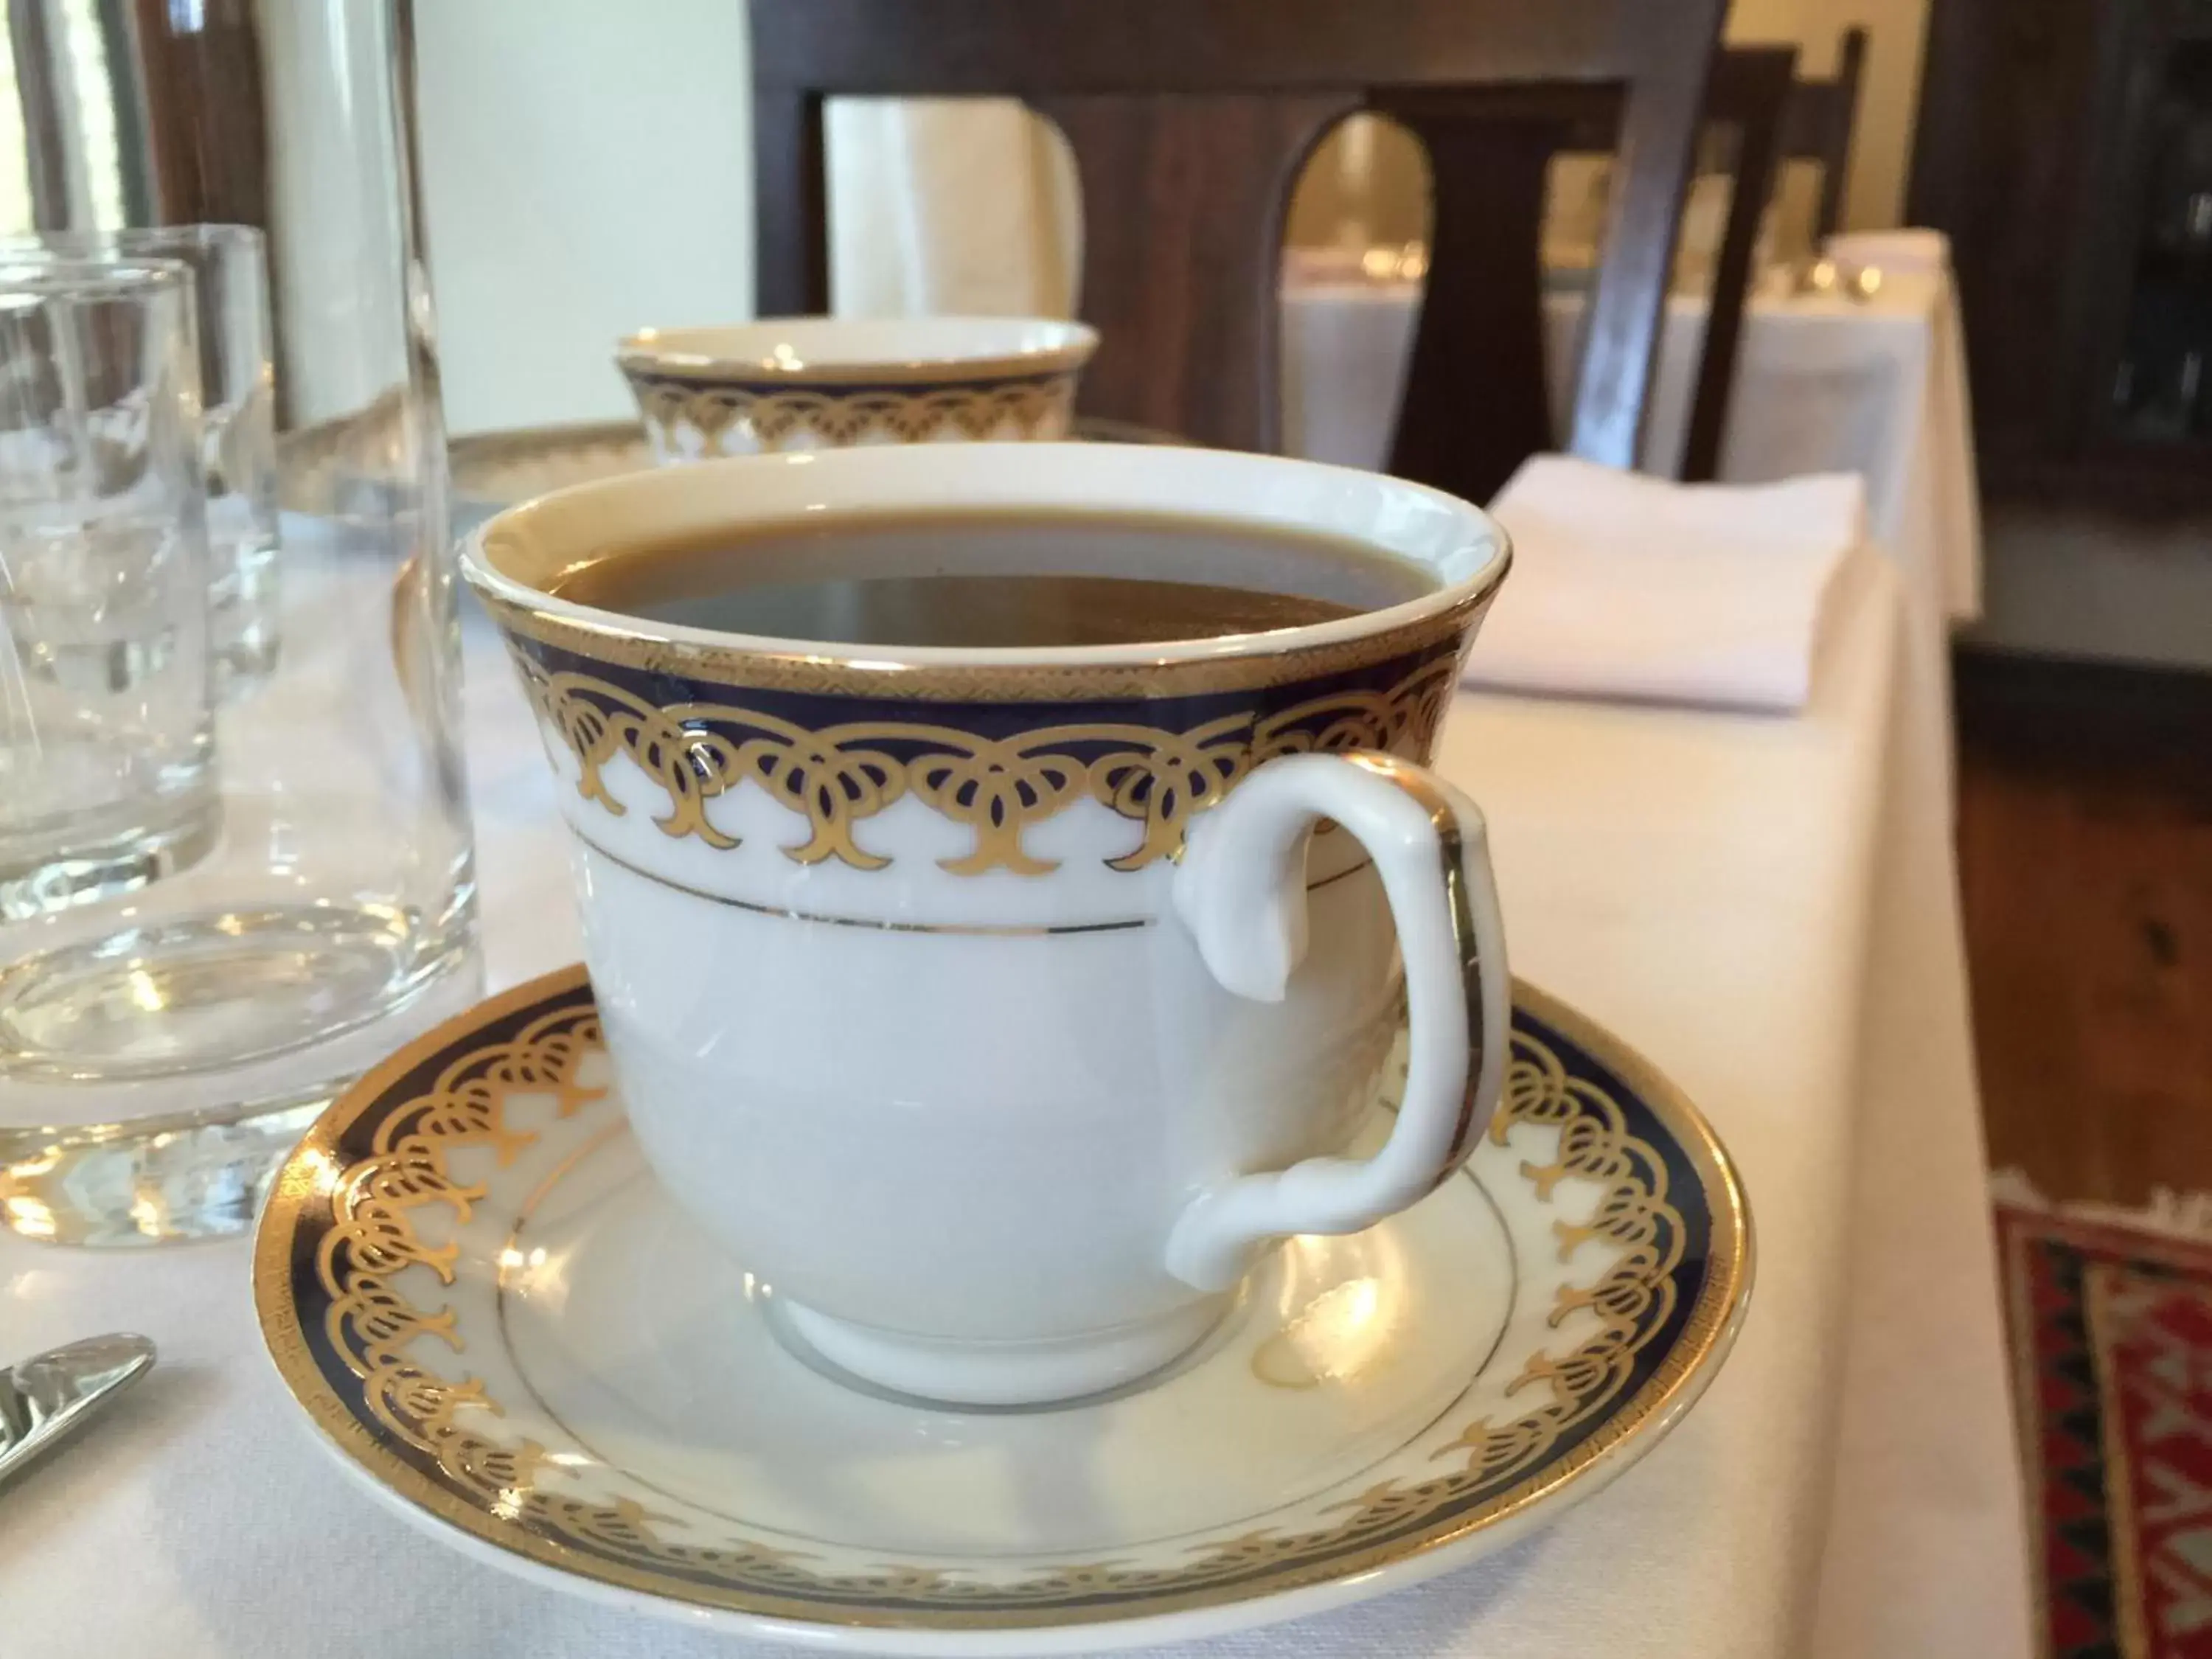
{"type": "Point", "coordinates": [238, 421]}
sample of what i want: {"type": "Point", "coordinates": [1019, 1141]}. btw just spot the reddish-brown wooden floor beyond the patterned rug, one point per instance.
{"type": "Point", "coordinates": [2087, 868]}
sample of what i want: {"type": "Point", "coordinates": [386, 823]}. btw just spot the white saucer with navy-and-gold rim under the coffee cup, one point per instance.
{"type": "Point", "coordinates": [479, 1295]}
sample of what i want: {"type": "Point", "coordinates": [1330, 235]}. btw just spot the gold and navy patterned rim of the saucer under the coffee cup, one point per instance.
{"type": "Point", "coordinates": [364, 1173]}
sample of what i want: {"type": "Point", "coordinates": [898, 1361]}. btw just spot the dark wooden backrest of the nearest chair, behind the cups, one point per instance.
{"type": "Point", "coordinates": [1191, 121]}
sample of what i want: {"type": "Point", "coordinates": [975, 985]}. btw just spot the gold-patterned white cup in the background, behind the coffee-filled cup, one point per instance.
{"type": "Point", "coordinates": [839, 382]}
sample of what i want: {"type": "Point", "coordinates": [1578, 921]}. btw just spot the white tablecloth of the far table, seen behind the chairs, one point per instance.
{"type": "Point", "coordinates": [1877, 388]}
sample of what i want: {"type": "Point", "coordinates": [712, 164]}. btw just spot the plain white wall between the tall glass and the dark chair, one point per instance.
{"type": "Point", "coordinates": [587, 171]}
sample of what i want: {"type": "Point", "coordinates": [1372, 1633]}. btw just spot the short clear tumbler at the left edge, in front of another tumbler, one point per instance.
{"type": "Point", "coordinates": [107, 747]}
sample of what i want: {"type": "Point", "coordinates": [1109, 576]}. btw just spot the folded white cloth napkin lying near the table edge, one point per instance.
{"type": "Point", "coordinates": [1640, 589]}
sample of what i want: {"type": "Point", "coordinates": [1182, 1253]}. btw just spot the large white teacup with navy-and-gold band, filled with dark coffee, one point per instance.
{"type": "Point", "coordinates": [997, 1008]}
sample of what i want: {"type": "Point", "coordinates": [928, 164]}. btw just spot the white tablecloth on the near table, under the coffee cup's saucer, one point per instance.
{"type": "Point", "coordinates": [1760, 904]}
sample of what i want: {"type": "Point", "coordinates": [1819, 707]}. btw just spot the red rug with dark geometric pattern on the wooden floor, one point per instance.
{"type": "Point", "coordinates": [2114, 1373]}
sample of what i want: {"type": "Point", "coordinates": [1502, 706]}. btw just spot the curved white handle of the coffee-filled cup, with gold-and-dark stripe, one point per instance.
{"type": "Point", "coordinates": [1242, 895]}
